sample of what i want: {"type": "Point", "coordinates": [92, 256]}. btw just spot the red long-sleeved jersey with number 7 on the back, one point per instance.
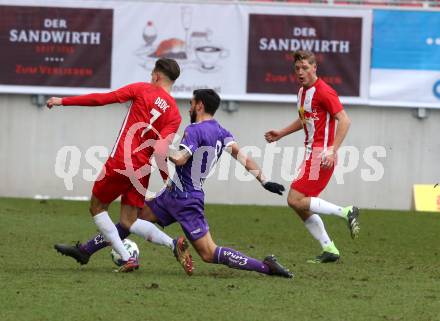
{"type": "Point", "coordinates": [153, 114]}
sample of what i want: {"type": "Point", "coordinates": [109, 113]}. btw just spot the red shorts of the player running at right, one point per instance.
{"type": "Point", "coordinates": [312, 178]}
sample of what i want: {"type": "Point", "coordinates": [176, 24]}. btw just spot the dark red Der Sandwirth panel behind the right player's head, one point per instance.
{"type": "Point", "coordinates": [336, 42]}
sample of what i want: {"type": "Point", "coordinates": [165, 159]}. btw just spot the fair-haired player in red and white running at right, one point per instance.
{"type": "Point", "coordinates": [318, 108]}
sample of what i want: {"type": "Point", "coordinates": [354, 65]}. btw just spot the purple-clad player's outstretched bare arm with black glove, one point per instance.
{"type": "Point", "coordinates": [252, 167]}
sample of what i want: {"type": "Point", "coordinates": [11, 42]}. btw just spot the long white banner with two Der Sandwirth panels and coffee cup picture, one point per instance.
{"type": "Point", "coordinates": [244, 51]}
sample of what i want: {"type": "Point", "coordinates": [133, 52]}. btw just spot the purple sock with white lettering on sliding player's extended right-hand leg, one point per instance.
{"type": "Point", "coordinates": [237, 260]}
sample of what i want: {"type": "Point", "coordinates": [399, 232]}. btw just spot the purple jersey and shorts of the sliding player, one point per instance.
{"type": "Point", "coordinates": [184, 201]}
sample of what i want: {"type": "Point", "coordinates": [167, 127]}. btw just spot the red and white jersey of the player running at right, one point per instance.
{"type": "Point", "coordinates": [317, 106]}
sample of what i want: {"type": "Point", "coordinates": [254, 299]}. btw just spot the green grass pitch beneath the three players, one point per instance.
{"type": "Point", "coordinates": [392, 272]}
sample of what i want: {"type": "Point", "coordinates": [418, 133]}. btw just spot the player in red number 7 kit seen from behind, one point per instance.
{"type": "Point", "coordinates": [149, 126]}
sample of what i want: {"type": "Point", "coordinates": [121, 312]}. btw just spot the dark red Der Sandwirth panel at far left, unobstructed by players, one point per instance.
{"type": "Point", "coordinates": [49, 47]}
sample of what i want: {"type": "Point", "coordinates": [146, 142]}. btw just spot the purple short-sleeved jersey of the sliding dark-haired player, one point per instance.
{"type": "Point", "coordinates": [205, 142]}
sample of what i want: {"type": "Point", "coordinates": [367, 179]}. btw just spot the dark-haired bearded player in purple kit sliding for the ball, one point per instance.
{"type": "Point", "coordinates": [183, 200]}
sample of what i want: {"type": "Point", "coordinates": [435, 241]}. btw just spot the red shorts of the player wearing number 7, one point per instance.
{"type": "Point", "coordinates": [111, 184]}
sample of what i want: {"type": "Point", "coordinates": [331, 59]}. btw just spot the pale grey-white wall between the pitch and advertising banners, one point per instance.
{"type": "Point", "coordinates": [30, 138]}
